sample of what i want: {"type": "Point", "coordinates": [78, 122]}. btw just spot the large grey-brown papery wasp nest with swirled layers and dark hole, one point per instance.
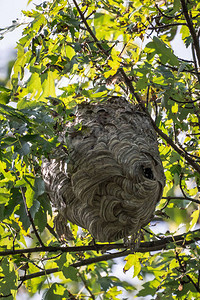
{"type": "Point", "coordinates": [111, 177]}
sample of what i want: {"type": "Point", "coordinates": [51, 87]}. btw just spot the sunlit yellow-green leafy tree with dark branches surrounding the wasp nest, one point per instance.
{"type": "Point", "coordinates": [75, 51]}
